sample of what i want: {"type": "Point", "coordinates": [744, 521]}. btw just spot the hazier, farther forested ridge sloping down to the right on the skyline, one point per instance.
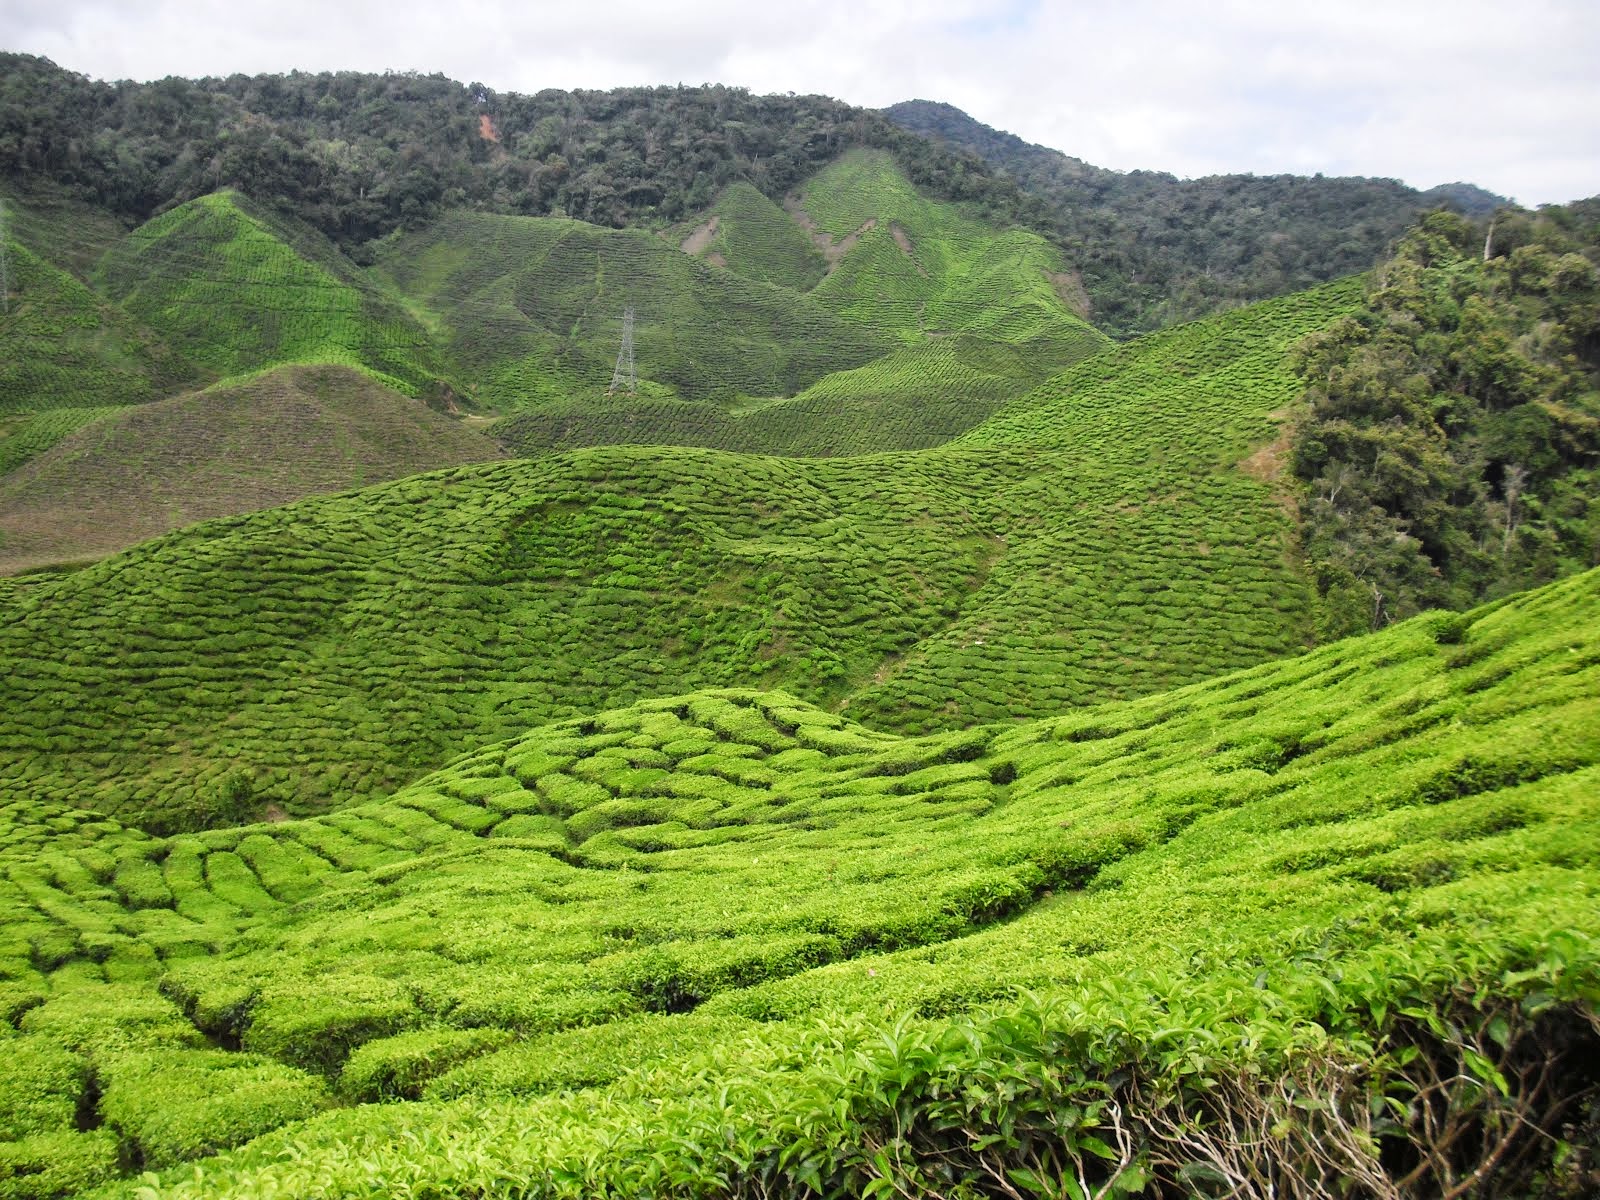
{"type": "Point", "coordinates": [1158, 249]}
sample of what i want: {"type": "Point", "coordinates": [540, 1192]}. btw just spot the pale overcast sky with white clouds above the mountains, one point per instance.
{"type": "Point", "coordinates": [1502, 95]}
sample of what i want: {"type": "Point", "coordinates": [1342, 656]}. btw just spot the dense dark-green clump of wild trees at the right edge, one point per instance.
{"type": "Point", "coordinates": [1454, 438]}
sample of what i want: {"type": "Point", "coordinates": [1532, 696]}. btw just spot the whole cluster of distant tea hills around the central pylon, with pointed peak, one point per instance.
{"type": "Point", "coordinates": [924, 346]}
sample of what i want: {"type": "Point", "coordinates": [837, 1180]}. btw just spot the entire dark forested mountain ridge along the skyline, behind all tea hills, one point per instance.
{"type": "Point", "coordinates": [359, 156]}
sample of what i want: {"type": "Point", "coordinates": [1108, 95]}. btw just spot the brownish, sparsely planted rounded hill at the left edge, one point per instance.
{"type": "Point", "coordinates": [230, 449]}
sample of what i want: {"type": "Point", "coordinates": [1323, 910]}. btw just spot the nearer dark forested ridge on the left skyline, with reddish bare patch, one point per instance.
{"type": "Point", "coordinates": [359, 154]}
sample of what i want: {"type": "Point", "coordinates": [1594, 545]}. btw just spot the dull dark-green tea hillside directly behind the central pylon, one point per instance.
{"type": "Point", "coordinates": [530, 310]}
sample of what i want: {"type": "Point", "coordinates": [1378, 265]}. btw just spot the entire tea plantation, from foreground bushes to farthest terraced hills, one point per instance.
{"type": "Point", "coordinates": [886, 756]}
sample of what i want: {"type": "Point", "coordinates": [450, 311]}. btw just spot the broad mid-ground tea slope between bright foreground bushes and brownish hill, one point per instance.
{"type": "Point", "coordinates": [337, 649]}
